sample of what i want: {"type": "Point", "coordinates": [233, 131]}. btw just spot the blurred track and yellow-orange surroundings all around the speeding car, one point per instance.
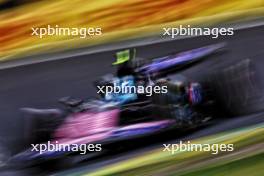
{"type": "Point", "coordinates": [36, 72]}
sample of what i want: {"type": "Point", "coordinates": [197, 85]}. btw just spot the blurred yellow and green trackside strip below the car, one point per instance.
{"type": "Point", "coordinates": [248, 150]}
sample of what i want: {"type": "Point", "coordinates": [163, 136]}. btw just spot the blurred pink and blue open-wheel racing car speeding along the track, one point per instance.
{"type": "Point", "coordinates": [118, 117]}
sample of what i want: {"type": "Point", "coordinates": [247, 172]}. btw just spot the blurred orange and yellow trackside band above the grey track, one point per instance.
{"type": "Point", "coordinates": [118, 19]}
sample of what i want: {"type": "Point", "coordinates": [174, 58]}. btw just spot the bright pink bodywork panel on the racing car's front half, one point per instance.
{"type": "Point", "coordinates": [87, 127]}
